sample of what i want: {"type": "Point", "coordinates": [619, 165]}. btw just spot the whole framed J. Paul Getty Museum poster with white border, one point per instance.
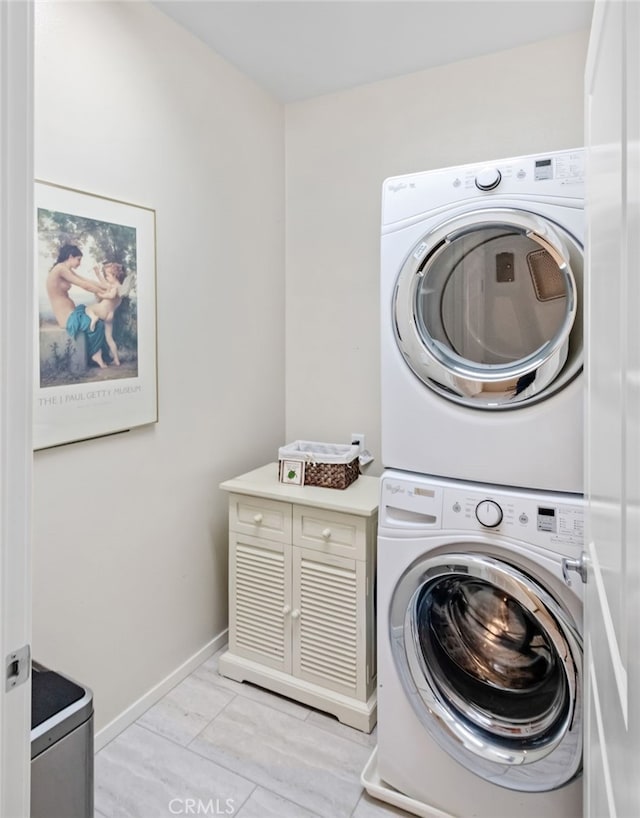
{"type": "Point", "coordinates": [95, 371]}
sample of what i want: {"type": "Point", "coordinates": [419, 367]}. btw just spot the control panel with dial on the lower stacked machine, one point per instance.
{"type": "Point", "coordinates": [549, 520]}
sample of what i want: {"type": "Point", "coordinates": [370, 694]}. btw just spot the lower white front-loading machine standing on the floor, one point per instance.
{"type": "Point", "coordinates": [480, 655]}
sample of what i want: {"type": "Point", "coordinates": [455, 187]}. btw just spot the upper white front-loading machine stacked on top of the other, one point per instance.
{"type": "Point", "coordinates": [482, 322]}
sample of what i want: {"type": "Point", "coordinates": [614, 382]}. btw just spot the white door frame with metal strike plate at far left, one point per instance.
{"type": "Point", "coordinates": [16, 330]}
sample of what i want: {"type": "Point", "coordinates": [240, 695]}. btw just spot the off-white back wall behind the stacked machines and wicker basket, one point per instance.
{"type": "Point", "coordinates": [339, 149]}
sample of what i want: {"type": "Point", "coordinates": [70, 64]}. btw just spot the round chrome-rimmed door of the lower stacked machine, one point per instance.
{"type": "Point", "coordinates": [493, 668]}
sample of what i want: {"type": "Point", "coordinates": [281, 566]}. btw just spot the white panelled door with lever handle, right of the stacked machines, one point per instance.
{"type": "Point", "coordinates": [612, 611]}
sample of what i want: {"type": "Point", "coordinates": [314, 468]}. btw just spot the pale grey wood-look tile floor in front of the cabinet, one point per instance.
{"type": "Point", "coordinates": [213, 746]}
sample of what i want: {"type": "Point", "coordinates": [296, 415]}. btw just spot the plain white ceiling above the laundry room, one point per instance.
{"type": "Point", "coordinates": [297, 49]}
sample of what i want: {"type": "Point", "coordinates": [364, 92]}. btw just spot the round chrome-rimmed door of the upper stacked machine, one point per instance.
{"type": "Point", "coordinates": [487, 309]}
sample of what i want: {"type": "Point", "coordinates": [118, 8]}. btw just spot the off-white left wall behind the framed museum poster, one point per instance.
{"type": "Point", "coordinates": [130, 546]}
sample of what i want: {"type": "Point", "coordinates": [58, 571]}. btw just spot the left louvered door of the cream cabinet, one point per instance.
{"type": "Point", "coordinates": [259, 600]}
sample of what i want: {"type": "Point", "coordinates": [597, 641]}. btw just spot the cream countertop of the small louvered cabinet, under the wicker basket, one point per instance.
{"type": "Point", "coordinates": [361, 497]}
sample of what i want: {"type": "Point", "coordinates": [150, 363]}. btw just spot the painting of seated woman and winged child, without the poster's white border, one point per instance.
{"type": "Point", "coordinates": [88, 290]}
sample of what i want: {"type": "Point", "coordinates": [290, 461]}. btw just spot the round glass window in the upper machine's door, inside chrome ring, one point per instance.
{"type": "Point", "coordinates": [491, 295]}
